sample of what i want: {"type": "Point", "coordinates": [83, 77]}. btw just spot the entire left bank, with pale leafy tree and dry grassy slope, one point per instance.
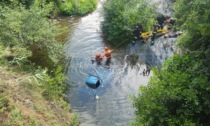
{"type": "Point", "coordinates": [31, 80]}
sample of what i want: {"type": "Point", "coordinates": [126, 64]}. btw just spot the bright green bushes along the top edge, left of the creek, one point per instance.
{"type": "Point", "coordinates": [67, 7]}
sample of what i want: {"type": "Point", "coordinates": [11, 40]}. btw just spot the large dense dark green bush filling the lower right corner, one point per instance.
{"type": "Point", "coordinates": [176, 95]}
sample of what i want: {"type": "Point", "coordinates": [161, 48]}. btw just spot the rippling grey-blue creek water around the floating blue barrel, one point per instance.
{"type": "Point", "coordinates": [120, 79]}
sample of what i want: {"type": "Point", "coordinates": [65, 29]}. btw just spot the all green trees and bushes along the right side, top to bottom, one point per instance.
{"type": "Point", "coordinates": [178, 93]}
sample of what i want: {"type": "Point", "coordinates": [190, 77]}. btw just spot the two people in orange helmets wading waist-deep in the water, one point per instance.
{"type": "Point", "coordinates": [107, 54]}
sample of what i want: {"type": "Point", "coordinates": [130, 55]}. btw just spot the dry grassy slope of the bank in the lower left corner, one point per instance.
{"type": "Point", "coordinates": [22, 102]}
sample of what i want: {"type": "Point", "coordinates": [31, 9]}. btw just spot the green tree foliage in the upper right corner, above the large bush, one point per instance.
{"type": "Point", "coordinates": [194, 19]}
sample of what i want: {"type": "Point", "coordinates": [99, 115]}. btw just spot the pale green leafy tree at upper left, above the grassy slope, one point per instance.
{"type": "Point", "coordinates": [30, 29]}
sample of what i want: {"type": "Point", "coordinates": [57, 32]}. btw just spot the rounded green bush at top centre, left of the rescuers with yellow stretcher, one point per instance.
{"type": "Point", "coordinates": [121, 17]}
